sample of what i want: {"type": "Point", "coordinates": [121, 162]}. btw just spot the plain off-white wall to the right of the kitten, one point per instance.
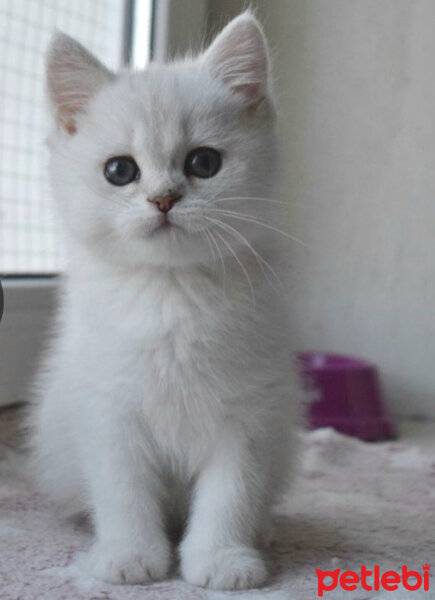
{"type": "Point", "coordinates": [356, 81]}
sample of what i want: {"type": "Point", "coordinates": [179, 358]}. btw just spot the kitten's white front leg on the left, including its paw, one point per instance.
{"type": "Point", "coordinates": [131, 544]}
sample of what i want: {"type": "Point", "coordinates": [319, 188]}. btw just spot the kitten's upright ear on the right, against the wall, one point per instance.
{"type": "Point", "coordinates": [239, 57]}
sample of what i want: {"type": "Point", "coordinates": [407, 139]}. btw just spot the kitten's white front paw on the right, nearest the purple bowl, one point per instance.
{"type": "Point", "coordinates": [232, 568]}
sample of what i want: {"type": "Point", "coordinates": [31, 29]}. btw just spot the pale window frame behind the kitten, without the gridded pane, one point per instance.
{"type": "Point", "coordinates": [30, 300]}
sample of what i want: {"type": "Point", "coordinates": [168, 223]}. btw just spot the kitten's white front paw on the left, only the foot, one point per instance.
{"type": "Point", "coordinates": [119, 562]}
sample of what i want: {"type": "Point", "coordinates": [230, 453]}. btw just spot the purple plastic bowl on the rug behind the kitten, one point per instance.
{"type": "Point", "coordinates": [348, 396]}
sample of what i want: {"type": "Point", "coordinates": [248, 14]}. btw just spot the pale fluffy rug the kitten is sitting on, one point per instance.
{"type": "Point", "coordinates": [354, 504]}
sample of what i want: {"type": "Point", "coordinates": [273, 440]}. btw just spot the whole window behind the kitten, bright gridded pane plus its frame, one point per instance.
{"type": "Point", "coordinates": [117, 31]}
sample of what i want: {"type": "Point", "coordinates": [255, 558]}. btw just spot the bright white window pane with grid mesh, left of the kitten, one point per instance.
{"type": "Point", "coordinates": [29, 240]}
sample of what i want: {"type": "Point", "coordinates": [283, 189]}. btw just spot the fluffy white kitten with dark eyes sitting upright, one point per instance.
{"type": "Point", "coordinates": [169, 391]}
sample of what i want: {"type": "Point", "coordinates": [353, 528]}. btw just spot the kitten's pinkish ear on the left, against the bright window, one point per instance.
{"type": "Point", "coordinates": [74, 76]}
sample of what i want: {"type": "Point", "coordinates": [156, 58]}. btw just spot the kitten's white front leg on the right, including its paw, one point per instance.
{"type": "Point", "coordinates": [229, 505]}
